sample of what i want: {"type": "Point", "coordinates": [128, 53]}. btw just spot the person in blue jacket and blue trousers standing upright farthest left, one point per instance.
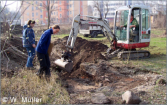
{"type": "Point", "coordinates": [29, 42]}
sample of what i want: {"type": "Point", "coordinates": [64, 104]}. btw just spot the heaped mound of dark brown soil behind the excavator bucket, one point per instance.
{"type": "Point", "coordinates": [84, 51]}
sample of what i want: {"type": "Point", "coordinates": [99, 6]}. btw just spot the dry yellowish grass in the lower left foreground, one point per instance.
{"type": "Point", "coordinates": [27, 84]}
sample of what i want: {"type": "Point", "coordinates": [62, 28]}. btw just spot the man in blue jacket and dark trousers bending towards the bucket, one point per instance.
{"type": "Point", "coordinates": [42, 51]}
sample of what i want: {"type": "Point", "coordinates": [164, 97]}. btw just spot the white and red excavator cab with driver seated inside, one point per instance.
{"type": "Point", "coordinates": [132, 26]}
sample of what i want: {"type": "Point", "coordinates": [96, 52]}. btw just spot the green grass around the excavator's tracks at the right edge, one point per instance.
{"type": "Point", "coordinates": [157, 60]}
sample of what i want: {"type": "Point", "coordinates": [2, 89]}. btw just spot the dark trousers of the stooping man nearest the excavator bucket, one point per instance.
{"type": "Point", "coordinates": [44, 64]}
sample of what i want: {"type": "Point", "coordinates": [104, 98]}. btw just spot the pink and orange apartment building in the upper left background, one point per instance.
{"type": "Point", "coordinates": [61, 12]}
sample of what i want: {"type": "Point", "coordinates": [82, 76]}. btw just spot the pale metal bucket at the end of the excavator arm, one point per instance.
{"type": "Point", "coordinates": [65, 65]}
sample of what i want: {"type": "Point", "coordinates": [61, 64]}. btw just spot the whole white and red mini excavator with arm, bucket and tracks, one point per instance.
{"type": "Point", "coordinates": [124, 39]}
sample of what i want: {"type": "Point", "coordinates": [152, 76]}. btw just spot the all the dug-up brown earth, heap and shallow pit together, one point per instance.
{"type": "Point", "coordinates": [93, 73]}
